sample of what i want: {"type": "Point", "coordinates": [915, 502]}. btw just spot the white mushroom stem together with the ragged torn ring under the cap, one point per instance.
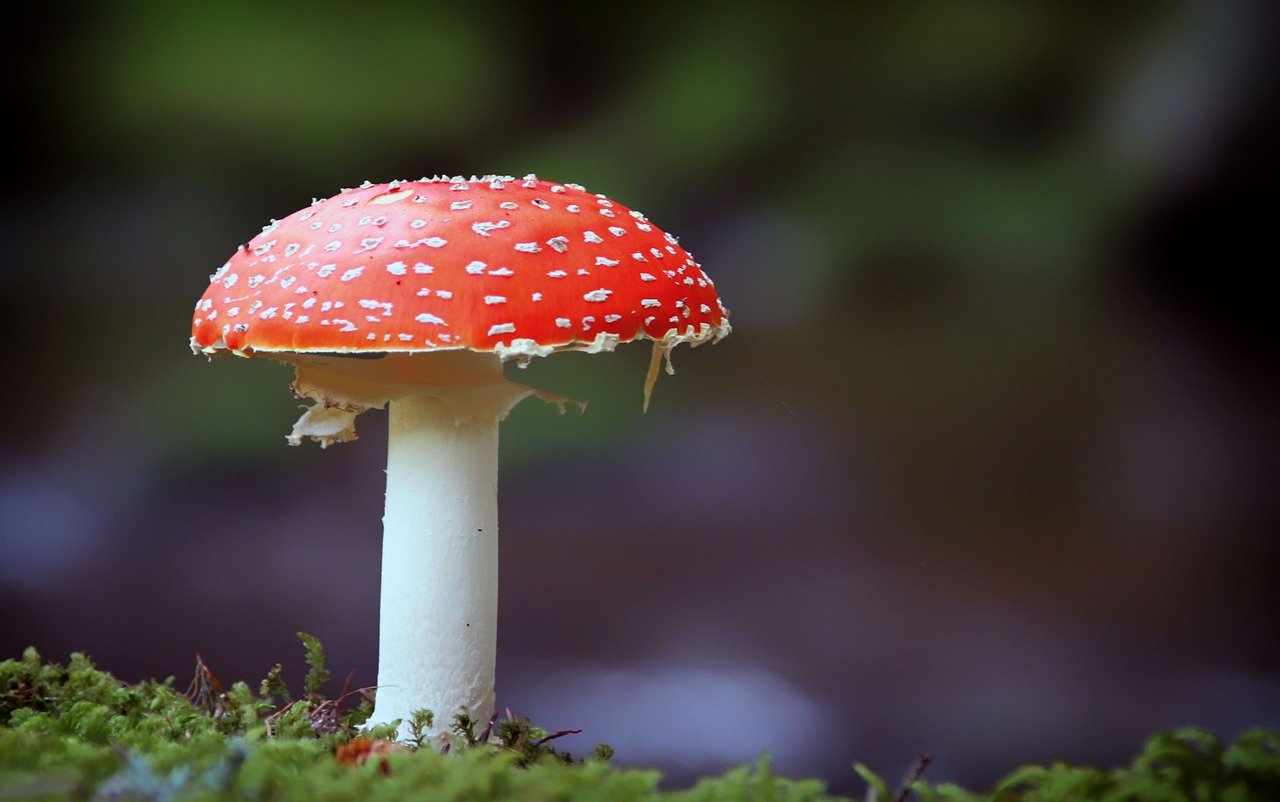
{"type": "Point", "coordinates": [438, 626]}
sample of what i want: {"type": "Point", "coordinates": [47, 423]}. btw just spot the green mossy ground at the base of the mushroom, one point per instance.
{"type": "Point", "coordinates": [72, 732]}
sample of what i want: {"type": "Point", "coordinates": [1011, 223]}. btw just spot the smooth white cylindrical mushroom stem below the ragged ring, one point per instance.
{"type": "Point", "coordinates": [438, 629]}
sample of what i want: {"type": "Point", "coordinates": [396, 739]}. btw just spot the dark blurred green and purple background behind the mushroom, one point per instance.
{"type": "Point", "coordinates": [988, 468]}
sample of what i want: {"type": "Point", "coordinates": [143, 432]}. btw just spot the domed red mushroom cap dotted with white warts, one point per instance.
{"type": "Point", "coordinates": [515, 267]}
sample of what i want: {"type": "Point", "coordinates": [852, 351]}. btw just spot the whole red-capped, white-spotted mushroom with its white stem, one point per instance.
{"type": "Point", "coordinates": [413, 295]}
